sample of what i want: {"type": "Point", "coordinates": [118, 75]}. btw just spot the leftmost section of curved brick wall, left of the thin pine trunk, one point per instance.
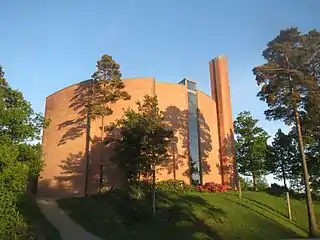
{"type": "Point", "coordinates": [64, 143]}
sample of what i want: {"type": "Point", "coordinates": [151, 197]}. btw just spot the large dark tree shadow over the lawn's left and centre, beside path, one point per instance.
{"type": "Point", "coordinates": [117, 216]}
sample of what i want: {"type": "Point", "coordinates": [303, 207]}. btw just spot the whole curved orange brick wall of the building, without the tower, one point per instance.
{"type": "Point", "coordinates": [64, 140]}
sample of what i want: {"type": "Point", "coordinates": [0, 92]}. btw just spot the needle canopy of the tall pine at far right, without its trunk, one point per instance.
{"type": "Point", "coordinates": [289, 77]}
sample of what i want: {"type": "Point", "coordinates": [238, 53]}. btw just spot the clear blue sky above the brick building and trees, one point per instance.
{"type": "Point", "coordinates": [47, 45]}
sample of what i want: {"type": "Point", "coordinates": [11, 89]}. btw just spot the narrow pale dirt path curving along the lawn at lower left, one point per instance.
{"type": "Point", "coordinates": [68, 229]}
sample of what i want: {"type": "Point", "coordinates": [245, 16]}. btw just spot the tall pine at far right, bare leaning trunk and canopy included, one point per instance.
{"type": "Point", "coordinates": [286, 86]}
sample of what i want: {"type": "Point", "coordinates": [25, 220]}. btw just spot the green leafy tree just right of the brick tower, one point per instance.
{"type": "Point", "coordinates": [251, 146]}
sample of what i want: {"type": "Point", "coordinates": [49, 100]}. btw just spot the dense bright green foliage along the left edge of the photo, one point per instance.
{"type": "Point", "coordinates": [19, 124]}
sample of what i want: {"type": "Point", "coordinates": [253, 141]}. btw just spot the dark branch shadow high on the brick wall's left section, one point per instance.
{"type": "Point", "coordinates": [76, 127]}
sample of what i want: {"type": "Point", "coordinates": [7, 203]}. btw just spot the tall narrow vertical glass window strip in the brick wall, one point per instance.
{"type": "Point", "coordinates": [193, 139]}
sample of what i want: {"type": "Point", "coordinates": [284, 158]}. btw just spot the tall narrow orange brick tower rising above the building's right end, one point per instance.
{"type": "Point", "coordinates": [220, 92]}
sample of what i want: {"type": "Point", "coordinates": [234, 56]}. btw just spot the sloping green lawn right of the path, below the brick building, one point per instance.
{"type": "Point", "coordinates": [189, 216]}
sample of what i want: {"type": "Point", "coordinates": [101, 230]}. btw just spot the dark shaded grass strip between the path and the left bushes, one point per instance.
{"type": "Point", "coordinates": [39, 226]}
